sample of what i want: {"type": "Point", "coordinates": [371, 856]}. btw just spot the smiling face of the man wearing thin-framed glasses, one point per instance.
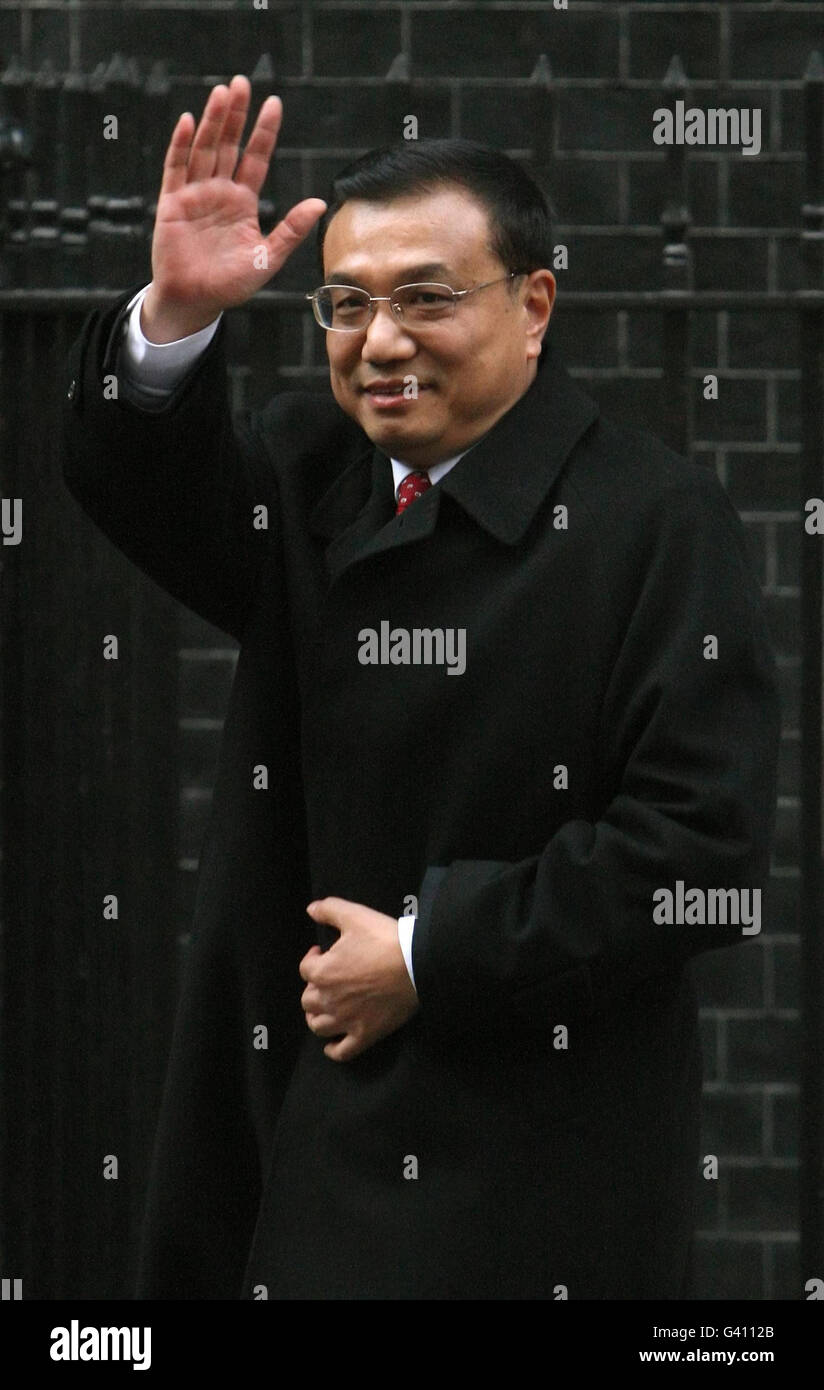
{"type": "Point", "coordinates": [469, 369]}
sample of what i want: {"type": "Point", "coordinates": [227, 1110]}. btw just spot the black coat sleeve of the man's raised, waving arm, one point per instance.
{"type": "Point", "coordinates": [174, 489]}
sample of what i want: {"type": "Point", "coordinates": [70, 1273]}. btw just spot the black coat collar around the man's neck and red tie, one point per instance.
{"type": "Point", "coordinates": [501, 482]}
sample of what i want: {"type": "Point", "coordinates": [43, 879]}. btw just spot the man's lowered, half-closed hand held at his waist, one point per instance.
{"type": "Point", "coordinates": [359, 990]}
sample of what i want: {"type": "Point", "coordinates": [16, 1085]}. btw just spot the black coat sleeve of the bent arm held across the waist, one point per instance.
{"type": "Point", "coordinates": [687, 762]}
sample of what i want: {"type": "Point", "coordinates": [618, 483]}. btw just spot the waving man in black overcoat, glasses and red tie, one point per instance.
{"type": "Point", "coordinates": [502, 664]}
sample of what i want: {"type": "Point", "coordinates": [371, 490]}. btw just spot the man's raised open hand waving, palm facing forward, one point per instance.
{"type": "Point", "coordinates": [206, 250]}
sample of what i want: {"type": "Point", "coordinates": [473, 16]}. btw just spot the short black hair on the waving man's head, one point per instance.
{"type": "Point", "coordinates": [520, 219]}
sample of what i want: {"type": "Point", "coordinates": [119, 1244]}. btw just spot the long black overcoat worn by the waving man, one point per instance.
{"type": "Point", "coordinates": [595, 750]}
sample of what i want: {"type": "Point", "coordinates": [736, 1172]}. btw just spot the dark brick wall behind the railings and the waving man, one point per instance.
{"type": "Point", "coordinates": [470, 67]}
